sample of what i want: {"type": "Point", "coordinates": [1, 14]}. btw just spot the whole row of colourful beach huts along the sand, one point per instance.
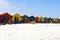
{"type": "Point", "coordinates": [6, 18]}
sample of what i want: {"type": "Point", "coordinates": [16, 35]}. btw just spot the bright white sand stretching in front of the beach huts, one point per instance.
{"type": "Point", "coordinates": [30, 32]}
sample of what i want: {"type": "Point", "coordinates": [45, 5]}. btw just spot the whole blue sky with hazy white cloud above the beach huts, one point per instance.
{"type": "Point", "coordinates": [46, 8]}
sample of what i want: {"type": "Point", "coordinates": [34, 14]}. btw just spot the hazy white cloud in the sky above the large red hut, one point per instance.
{"type": "Point", "coordinates": [5, 6]}
